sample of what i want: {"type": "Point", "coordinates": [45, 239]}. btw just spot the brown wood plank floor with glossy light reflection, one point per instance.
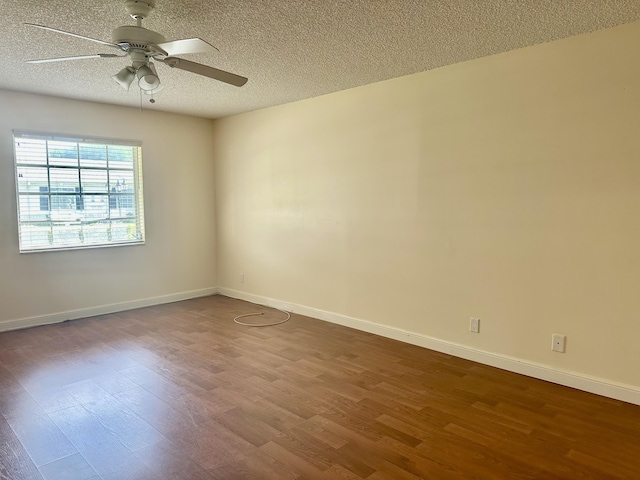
{"type": "Point", "coordinates": [181, 392]}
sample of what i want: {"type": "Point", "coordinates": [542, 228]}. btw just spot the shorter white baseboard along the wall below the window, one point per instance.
{"type": "Point", "coordinates": [103, 309]}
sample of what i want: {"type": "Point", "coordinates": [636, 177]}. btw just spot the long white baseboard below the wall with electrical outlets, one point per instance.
{"type": "Point", "coordinates": [599, 386]}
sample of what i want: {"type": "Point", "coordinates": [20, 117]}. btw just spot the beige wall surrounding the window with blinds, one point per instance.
{"type": "Point", "coordinates": [179, 255]}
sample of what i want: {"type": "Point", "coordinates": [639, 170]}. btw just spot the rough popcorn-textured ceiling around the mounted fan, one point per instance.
{"type": "Point", "coordinates": [289, 49]}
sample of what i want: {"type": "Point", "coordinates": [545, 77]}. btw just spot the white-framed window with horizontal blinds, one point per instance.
{"type": "Point", "coordinates": [77, 192]}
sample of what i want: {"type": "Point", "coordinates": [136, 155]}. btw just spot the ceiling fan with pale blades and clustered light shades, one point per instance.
{"type": "Point", "coordinates": [142, 46]}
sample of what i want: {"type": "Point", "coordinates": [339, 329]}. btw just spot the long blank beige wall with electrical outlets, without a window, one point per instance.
{"type": "Point", "coordinates": [506, 188]}
